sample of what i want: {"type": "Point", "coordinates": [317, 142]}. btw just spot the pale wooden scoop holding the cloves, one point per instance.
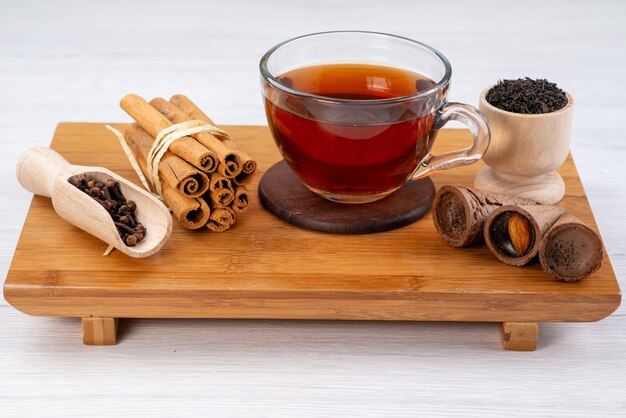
{"type": "Point", "coordinates": [44, 172]}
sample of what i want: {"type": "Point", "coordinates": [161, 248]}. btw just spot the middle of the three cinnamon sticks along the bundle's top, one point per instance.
{"type": "Point", "coordinates": [229, 163]}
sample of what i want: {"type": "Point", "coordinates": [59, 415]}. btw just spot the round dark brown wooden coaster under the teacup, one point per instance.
{"type": "Point", "coordinates": [284, 195]}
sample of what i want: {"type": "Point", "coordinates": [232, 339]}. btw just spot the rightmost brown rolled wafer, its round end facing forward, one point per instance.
{"type": "Point", "coordinates": [570, 250]}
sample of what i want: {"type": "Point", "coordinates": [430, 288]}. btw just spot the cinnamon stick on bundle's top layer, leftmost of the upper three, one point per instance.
{"type": "Point", "coordinates": [153, 122]}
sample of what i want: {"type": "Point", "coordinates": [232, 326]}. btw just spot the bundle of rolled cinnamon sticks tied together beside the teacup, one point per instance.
{"type": "Point", "coordinates": [202, 177]}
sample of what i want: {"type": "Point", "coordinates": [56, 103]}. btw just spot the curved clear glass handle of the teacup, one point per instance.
{"type": "Point", "coordinates": [477, 124]}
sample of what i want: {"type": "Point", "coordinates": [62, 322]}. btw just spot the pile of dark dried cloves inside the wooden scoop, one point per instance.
{"type": "Point", "coordinates": [122, 211]}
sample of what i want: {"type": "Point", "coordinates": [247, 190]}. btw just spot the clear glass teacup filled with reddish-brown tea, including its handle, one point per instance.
{"type": "Point", "coordinates": [355, 114]}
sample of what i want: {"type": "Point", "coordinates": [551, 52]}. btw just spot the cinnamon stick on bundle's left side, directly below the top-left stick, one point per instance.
{"type": "Point", "coordinates": [173, 170]}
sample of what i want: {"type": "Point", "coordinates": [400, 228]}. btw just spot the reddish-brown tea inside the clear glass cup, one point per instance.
{"type": "Point", "coordinates": [356, 147]}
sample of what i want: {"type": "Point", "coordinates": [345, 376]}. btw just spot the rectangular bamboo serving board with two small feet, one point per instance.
{"type": "Point", "coordinates": [266, 268]}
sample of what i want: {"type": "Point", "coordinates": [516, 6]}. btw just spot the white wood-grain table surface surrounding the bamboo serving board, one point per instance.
{"type": "Point", "coordinates": [73, 61]}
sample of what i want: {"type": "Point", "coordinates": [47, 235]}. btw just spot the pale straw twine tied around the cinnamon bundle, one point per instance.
{"type": "Point", "coordinates": [161, 144]}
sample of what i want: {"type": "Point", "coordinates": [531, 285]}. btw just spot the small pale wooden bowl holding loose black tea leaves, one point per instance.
{"type": "Point", "coordinates": [525, 151]}
